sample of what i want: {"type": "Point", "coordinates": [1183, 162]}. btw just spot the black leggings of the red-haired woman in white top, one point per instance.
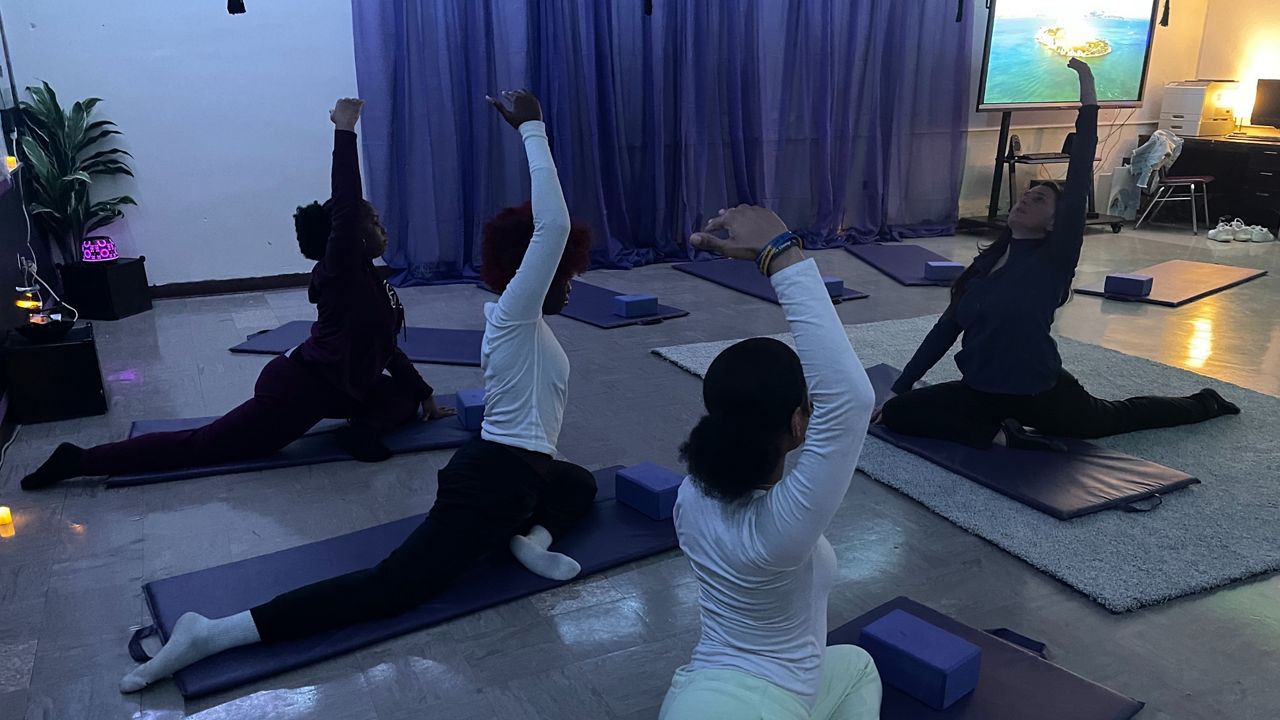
{"type": "Point", "coordinates": [487, 495]}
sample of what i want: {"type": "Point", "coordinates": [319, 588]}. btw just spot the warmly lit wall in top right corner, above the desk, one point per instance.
{"type": "Point", "coordinates": [1242, 42]}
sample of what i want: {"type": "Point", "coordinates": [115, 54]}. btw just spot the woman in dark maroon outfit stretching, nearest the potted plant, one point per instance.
{"type": "Point", "coordinates": [339, 372]}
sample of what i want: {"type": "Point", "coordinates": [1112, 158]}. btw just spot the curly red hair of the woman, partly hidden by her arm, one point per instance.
{"type": "Point", "coordinates": [506, 239]}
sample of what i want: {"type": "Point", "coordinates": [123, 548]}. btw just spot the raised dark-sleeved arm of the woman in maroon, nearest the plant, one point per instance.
{"type": "Point", "coordinates": [346, 248]}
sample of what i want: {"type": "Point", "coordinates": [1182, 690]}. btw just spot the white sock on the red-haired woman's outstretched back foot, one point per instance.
{"type": "Point", "coordinates": [195, 639]}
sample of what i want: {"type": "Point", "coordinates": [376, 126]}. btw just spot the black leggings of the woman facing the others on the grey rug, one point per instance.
{"type": "Point", "coordinates": [958, 413]}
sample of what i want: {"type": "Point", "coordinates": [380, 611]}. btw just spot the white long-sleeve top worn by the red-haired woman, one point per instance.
{"type": "Point", "coordinates": [525, 368]}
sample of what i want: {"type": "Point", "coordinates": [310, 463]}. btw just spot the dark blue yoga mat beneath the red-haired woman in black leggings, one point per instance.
{"type": "Point", "coordinates": [609, 536]}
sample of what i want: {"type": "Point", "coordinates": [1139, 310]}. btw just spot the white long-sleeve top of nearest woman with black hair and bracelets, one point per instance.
{"type": "Point", "coordinates": [764, 566]}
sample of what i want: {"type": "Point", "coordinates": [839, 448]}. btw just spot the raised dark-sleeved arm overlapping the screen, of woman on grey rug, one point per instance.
{"type": "Point", "coordinates": [1069, 222]}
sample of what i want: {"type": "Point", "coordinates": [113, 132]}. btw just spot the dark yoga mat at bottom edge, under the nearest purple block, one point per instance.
{"type": "Point", "coordinates": [1014, 685]}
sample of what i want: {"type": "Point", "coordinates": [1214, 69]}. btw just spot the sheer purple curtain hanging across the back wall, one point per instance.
{"type": "Point", "coordinates": [844, 116]}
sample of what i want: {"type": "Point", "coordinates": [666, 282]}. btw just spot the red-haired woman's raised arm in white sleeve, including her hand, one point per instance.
{"type": "Point", "coordinates": [523, 299]}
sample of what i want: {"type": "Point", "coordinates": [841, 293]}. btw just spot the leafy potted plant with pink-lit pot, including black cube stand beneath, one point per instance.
{"type": "Point", "coordinates": [66, 152]}
